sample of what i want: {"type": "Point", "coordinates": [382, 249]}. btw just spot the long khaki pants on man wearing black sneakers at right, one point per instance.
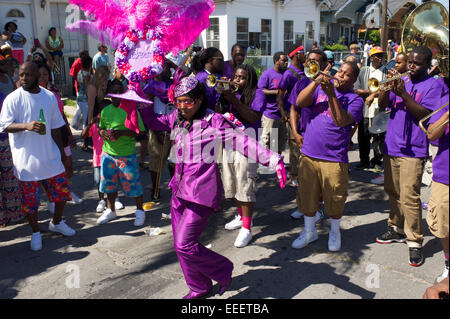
{"type": "Point", "coordinates": [402, 180]}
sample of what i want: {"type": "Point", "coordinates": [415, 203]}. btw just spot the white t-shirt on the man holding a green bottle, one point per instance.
{"type": "Point", "coordinates": [36, 157]}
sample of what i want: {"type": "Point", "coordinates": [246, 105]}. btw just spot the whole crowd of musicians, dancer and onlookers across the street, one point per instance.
{"type": "Point", "coordinates": [252, 119]}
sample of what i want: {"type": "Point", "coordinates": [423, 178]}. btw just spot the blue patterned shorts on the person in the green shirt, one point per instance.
{"type": "Point", "coordinates": [123, 170]}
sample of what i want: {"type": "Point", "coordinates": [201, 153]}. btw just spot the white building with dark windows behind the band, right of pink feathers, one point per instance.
{"type": "Point", "coordinates": [273, 24]}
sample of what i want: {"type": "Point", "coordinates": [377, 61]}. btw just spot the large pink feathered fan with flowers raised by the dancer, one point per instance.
{"type": "Point", "coordinates": [143, 31]}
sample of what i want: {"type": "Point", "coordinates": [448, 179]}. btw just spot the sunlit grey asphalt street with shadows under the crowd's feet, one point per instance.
{"type": "Point", "coordinates": [119, 260]}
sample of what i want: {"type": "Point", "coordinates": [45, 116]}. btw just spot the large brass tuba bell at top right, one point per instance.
{"type": "Point", "coordinates": [427, 25]}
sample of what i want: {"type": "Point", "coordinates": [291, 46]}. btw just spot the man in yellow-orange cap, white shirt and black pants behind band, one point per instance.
{"type": "Point", "coordinates": [377, 56]}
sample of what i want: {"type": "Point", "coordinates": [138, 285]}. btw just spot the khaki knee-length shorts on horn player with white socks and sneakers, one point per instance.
{"type": "Point", "coordinates": [318, 177]}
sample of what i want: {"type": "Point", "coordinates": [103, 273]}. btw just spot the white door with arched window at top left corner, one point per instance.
{"type": "Point", "coordinates": [20, 14]}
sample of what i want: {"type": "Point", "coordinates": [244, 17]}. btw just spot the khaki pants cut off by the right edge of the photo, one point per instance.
{"type": "Point", "coordinates": [437, 216]}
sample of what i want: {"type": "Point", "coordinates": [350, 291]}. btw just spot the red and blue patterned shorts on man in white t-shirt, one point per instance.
{"type": "Point", "coordinates": [57, 188]}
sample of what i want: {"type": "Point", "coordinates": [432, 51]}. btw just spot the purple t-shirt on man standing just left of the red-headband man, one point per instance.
{"type": "Point", "coordinates": [269, 80]}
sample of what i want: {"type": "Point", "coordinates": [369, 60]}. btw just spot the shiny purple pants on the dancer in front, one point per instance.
{"type": "Point", "coordinates": [199, 264]}
